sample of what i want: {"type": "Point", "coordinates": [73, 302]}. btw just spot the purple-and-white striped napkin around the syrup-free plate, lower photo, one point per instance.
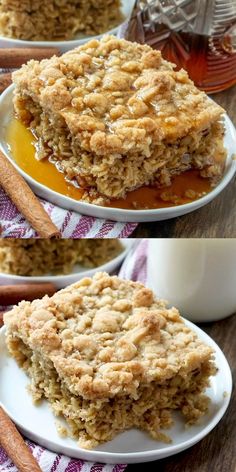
{"type": "Point", "coordinates": [134, 267]}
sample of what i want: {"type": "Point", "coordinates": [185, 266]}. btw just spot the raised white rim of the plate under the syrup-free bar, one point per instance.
{"type": "Point", "coordinates": [152, 455]}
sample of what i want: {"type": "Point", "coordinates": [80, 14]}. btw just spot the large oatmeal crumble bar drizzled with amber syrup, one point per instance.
{"type": "Point", "coordinates": [115, 116]}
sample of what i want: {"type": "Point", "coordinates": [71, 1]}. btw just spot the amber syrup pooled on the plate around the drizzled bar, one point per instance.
{"type": "Point", "coordinates": [21, 143]}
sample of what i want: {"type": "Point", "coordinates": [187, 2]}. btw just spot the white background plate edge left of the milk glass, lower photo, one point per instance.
{"type": "Point", "coordinates": [61, 281]}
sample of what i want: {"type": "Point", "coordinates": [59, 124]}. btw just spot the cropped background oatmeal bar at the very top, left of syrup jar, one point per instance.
{"type": "Point", "coordinates": [53, 20]}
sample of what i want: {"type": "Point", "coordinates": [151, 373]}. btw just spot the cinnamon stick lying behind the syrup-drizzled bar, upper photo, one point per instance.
{"type": "Point", "coordinates": [11, 58]}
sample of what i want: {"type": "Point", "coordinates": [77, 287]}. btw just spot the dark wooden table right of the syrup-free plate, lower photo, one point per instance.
{"type": "Point", "coordinates": [217, 451]}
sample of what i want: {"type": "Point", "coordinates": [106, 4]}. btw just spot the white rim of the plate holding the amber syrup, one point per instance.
{"type": "Point", "coordinates": [120, 214]}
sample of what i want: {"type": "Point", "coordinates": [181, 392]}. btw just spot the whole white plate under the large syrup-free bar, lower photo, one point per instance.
{"type": "Point", "coordinates": [133, 446]}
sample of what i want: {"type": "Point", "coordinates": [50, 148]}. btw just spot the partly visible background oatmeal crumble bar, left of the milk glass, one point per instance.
{"type": "Point", "coordinates": [42, 256]}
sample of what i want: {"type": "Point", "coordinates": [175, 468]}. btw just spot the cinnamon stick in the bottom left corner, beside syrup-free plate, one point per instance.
{"type": "Point", "coordinates": [15, 447]}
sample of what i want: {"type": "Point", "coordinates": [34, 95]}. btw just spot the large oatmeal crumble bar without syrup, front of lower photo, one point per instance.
{"type": "Point", "coordinates": [109, 356]}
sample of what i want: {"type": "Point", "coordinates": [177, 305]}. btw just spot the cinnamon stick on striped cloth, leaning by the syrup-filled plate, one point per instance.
{"type": "Point", "coordinates": [25, 200]}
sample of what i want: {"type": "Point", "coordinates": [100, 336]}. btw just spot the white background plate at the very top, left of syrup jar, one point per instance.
{"type": "Point", "coordinates": [63, 46]}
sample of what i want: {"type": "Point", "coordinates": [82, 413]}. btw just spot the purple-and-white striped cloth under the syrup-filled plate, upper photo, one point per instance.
{"type": "Point", "coordinates": [71, 224]}
